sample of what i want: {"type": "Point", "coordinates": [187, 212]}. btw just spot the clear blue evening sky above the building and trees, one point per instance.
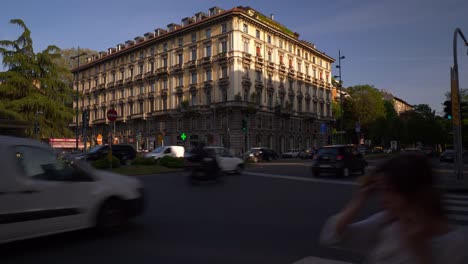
{"type": "Point", "coordinates": [403, 46]}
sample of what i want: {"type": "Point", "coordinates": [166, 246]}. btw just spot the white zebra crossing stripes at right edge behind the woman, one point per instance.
{"type": "Point", "coordinates": [456, 206]}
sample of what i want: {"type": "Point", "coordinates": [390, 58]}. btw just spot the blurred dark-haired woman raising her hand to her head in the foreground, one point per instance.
{"type": "Point", "coordinates": [412, 228]}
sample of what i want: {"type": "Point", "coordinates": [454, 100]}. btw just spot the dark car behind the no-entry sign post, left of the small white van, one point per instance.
{"type": "Point", "coordinates": [123, 152]}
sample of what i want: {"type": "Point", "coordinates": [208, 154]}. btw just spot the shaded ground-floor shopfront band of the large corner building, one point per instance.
{"type": "Point", "coordinates": [220, 125]}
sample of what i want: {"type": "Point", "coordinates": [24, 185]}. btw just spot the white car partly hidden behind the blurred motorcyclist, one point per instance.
{"type": "Point", "coordinates": [227, 162]}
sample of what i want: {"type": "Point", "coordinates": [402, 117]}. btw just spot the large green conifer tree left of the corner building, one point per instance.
{"type": "Point", "coordinates": [32, 83]}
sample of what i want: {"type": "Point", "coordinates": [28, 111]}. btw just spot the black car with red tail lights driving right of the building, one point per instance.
{"type": "Point", "coordinates": [341, 160]}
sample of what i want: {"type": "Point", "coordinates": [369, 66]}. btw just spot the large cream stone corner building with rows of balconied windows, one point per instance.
{"type": "Point", "coordinates": [233, 78]}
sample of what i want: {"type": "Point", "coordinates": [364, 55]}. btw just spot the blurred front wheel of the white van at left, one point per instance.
{"type": "Point", "coordinates": [111, 215]}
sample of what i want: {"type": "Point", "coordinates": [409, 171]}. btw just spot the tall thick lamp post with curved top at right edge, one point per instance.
{"type": "Point", "coordinates": [455, 94]}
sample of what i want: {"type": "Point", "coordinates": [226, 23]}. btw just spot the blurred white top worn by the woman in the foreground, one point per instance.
{"type": "Point", "coordinates": [379, 239]}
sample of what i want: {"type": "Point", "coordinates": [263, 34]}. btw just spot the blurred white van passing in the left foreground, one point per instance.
{"type": "Point", "coordinates": [42, 195]}
